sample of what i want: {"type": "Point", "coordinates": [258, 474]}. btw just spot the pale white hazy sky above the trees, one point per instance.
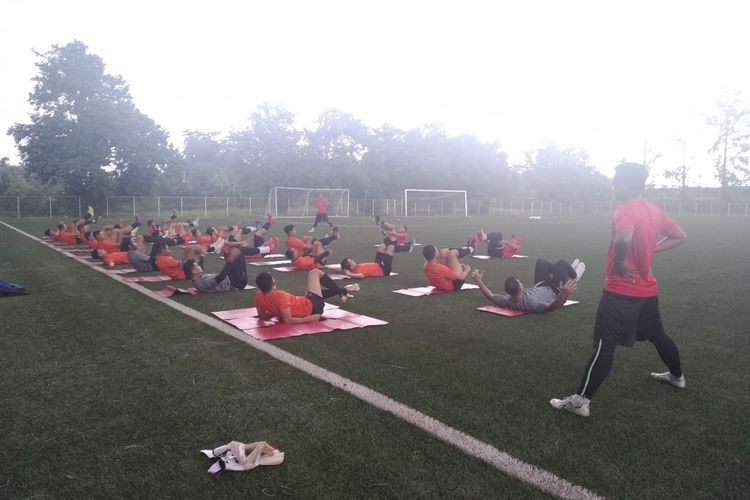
{"type": "Point", "coordinates": [597, 75]}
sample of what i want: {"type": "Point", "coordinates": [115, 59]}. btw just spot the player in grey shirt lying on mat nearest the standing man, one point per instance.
{"type": "Point", "coordinates": [554, 284]}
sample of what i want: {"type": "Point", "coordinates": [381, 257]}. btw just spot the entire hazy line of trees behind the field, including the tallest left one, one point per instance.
{"type": "Point", "coordinates": [87, 137]}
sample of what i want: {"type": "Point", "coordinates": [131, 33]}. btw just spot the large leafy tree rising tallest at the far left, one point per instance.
{"type": "Point", "coordinates": [85, 132]}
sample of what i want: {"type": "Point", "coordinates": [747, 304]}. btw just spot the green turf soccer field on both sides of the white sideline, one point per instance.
{"type": "Point", "coordinates": [107, 393]}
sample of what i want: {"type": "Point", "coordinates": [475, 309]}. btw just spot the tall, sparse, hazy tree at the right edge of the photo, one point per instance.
{"type": "Point", "coordinates": [731, 148]}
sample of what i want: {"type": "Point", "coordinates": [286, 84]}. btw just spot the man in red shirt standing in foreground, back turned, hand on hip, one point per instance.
{"type": "Point", "coordinates": [629, 307]}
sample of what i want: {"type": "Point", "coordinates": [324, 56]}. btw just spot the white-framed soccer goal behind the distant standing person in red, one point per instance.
{"type": "Point", "coordinates": [303, 202]}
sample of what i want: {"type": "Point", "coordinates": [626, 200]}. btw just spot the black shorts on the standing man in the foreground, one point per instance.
{"type": "Point", "coordinates": [624, 319]}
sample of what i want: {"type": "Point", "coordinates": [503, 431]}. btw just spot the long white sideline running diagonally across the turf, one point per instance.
{"type": "Point", "coordinates": [530, 474]}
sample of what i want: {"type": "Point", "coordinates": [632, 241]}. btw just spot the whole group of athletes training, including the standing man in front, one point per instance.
{"type": "Point", "coordinates": [628, 309]}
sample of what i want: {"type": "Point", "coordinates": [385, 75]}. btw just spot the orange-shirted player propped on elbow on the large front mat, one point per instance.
{"type": "Point", "coordinates": [272, 302]}
